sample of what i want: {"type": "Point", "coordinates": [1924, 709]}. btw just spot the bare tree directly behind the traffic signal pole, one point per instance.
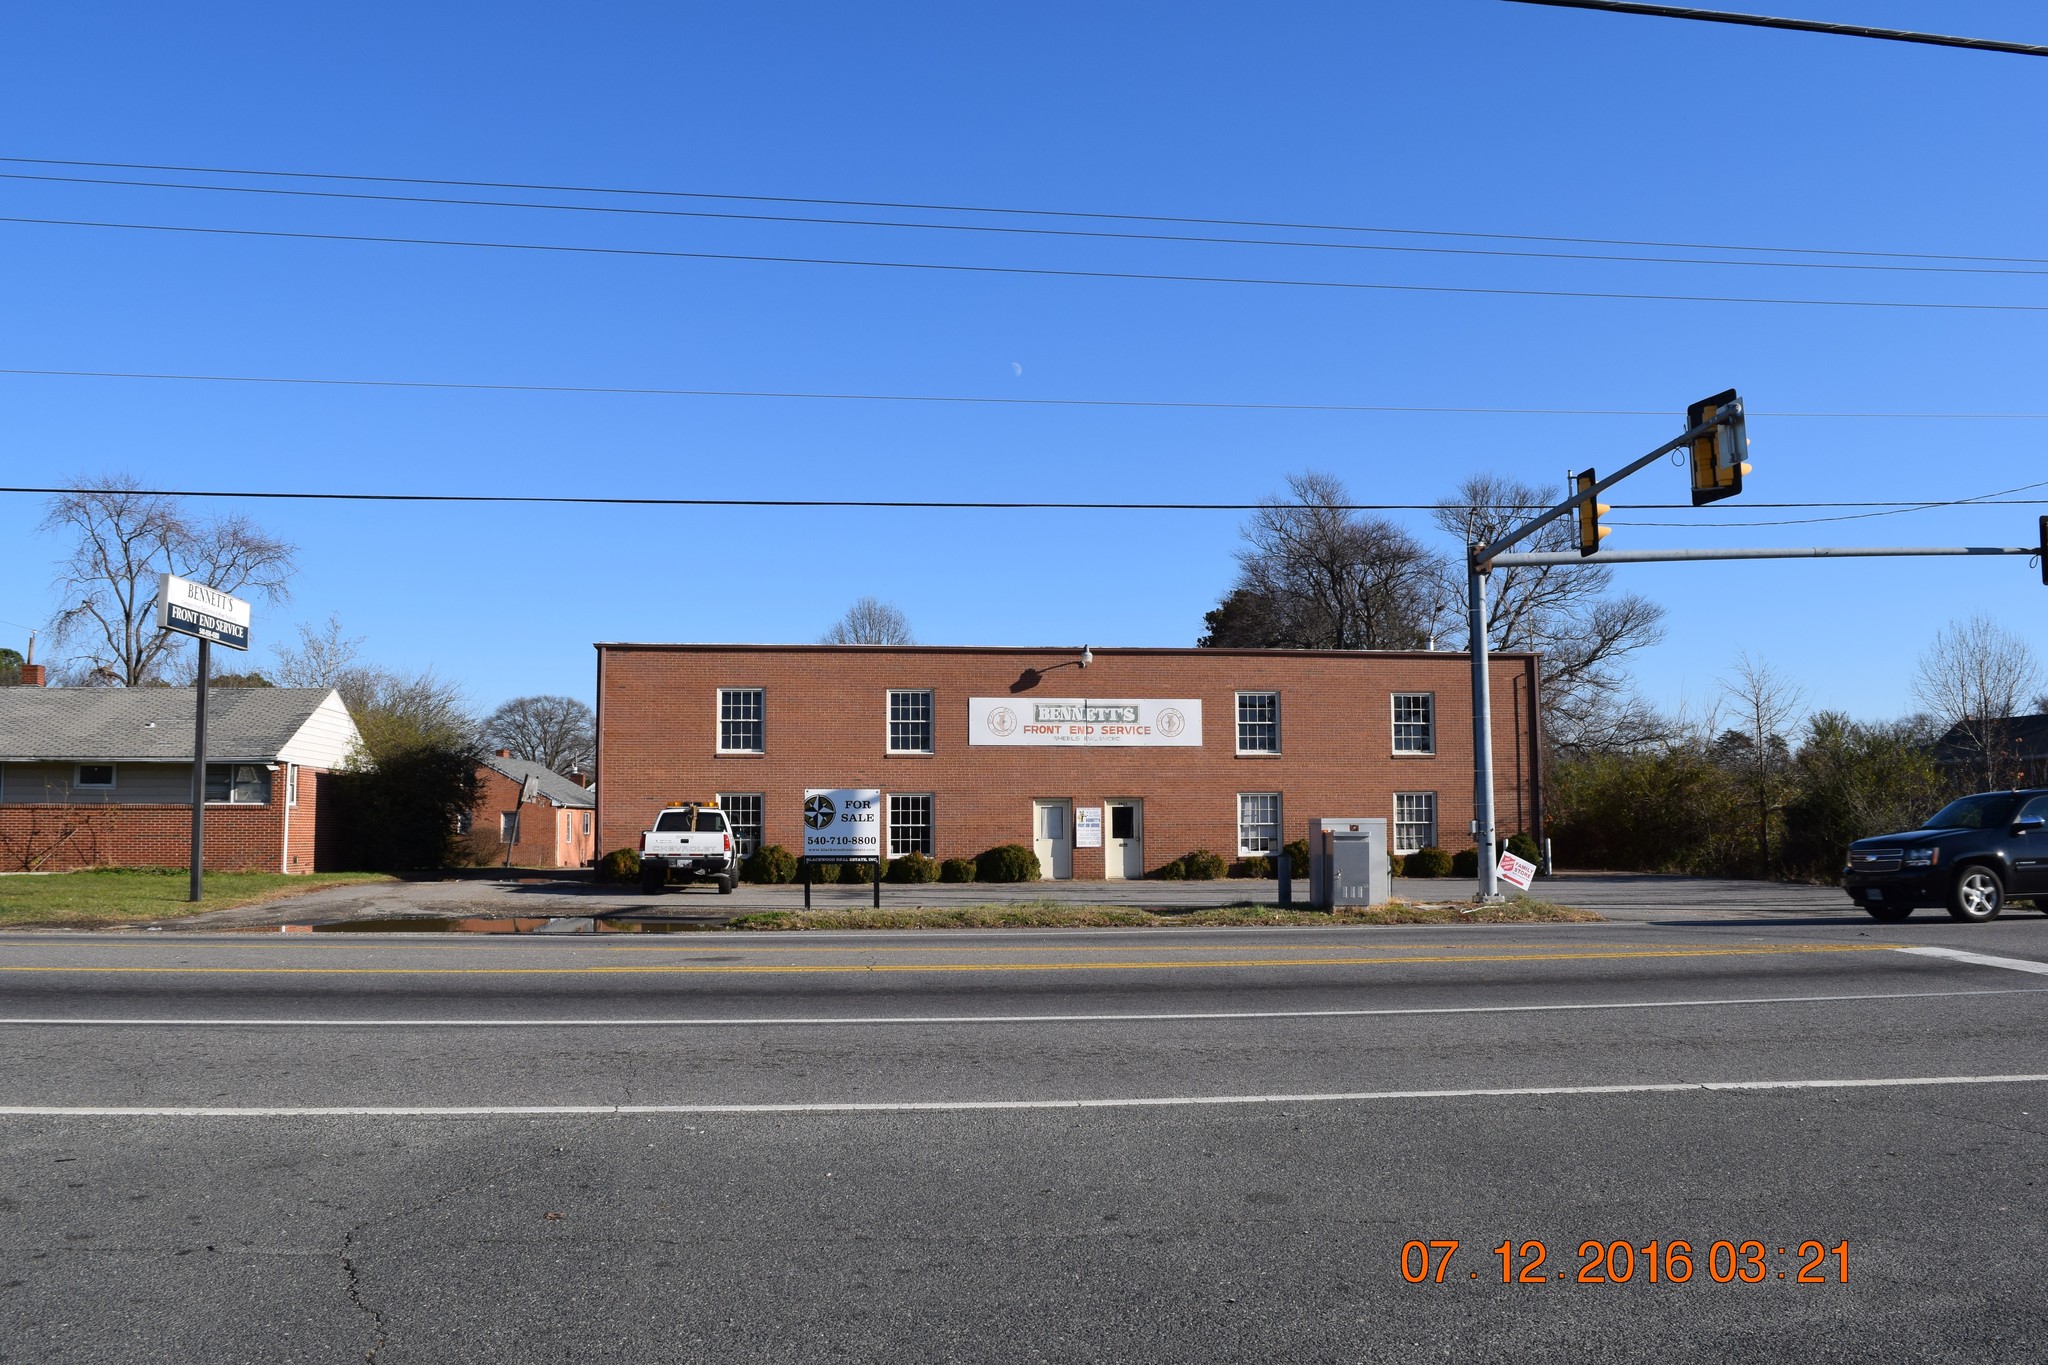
{"type": "Point", "coordinates": [1564, 613]}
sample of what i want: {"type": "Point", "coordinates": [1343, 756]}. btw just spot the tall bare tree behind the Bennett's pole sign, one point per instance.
{"type": "Point", "coordinates": [122, 541]}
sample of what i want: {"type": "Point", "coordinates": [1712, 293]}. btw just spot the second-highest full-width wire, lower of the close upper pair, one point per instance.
{"type": "Point", "coordinates": [1027, 232]}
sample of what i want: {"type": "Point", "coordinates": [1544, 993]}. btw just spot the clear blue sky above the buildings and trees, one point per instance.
{"type": "Point", "coordinates": [1465, 116]}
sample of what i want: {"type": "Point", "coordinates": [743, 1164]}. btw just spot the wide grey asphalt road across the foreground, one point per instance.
{"type": "Point", "coordinates": [1082, 1147]}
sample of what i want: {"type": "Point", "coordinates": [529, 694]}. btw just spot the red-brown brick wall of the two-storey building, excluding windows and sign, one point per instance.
{"type": "Point", "coordinates": [826, 725]}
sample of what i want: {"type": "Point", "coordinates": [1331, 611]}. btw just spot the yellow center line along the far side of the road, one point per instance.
{"type": "Point", "coordinates": [675, 969]}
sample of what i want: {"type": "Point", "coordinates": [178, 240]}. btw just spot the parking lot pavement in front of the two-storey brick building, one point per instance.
{"type": "Point", "coordinates": [1623, 897]}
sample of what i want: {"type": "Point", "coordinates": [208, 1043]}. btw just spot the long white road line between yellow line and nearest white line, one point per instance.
{"type": "Point", "coordinates": [900, 1020]}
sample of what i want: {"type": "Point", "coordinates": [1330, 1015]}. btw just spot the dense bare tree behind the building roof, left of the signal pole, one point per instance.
{"type": "Point", "coordinates": [1318, 576]}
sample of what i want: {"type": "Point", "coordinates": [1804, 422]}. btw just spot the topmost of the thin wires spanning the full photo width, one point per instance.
{"type": "Point", "coordinates": [1015, 212]}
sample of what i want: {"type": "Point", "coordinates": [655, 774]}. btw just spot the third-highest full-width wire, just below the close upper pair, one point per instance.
{"type": "Point", "coordinates": [1043, 271]}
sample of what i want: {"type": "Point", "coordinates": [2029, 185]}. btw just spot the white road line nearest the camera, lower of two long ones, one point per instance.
{"type": "Point", "coordinates": [957, 1106]}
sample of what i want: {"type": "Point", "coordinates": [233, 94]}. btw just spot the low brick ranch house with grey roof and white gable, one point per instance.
{"type": "Point", "coordinates": [103, 779]}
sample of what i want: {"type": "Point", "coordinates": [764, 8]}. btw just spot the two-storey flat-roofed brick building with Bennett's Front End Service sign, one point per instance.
{"type": "Point", "coordinates": [1109, 773]}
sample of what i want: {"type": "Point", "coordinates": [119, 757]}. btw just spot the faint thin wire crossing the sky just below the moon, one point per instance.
{"type": "Point", "coordinates": [1009, 402]}
